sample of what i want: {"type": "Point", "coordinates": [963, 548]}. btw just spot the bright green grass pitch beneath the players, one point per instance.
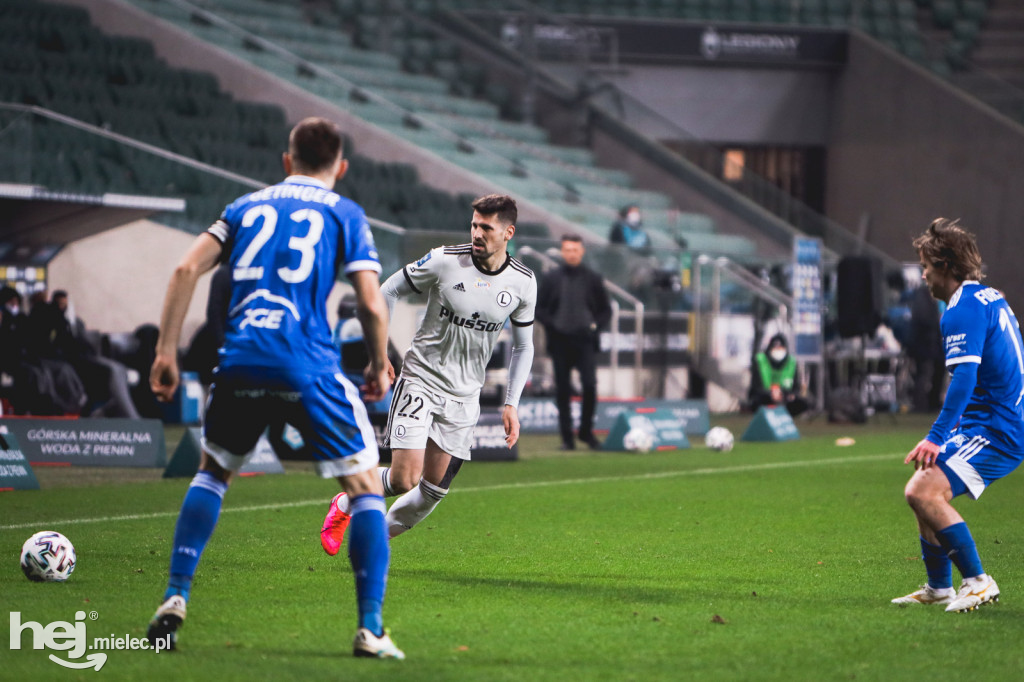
{"type": "Point", "coordinates": [776, 562]}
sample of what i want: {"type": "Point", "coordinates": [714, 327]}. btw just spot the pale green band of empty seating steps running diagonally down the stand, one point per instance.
{"type": "Point", "coordinates": [416, 107]}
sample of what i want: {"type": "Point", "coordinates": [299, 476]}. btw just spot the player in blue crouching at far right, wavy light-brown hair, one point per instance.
{"type": "Point", "coordinates": [979, 435]}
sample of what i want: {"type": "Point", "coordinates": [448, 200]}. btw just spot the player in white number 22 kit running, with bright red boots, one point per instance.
{"type": "Point", "coordinates": [473, 289]}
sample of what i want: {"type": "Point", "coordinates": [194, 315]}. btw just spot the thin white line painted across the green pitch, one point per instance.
{"type": "Point", "coordinates": [767, 466]}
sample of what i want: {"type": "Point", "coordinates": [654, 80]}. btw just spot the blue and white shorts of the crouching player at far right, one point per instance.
{"type": "Point", "coordinates": [972, 463]}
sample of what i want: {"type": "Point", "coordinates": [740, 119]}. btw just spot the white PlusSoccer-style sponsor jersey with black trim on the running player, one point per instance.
{"type": "Point", "coordinates": [467, 308]}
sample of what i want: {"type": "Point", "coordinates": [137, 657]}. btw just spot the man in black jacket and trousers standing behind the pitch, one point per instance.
{"type": "Point", "coordinates": [573, 306]}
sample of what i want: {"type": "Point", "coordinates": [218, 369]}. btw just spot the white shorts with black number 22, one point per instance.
{"type": "Point", "coordinates": [418, 414]}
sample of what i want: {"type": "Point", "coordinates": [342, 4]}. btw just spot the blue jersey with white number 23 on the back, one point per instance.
{"type": "Point", "coordinates": [286, 246]}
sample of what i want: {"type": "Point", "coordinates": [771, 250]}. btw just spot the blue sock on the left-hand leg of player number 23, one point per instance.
{"type": "Point", "coordinates": [198, 519]}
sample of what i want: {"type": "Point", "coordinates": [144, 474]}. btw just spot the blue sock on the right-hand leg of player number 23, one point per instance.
{"type": "Point", "coordinates": [370, 555]}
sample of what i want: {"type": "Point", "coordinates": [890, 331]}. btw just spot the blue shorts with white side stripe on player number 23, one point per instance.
{"type": "Point", "coordinates": [326, 409]}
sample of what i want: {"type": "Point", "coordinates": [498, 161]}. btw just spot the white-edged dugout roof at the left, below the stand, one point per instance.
{"type": "Point", "coordinates": [34, 216]}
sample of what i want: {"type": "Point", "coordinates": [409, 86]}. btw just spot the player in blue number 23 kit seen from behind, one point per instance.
{"type": "Point", "coordinates": [286, 245]}
